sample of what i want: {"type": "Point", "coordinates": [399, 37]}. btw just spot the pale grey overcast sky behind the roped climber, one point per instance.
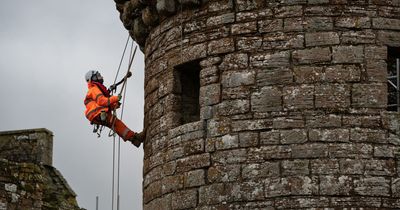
{"type": "Point", "coordinates": [46, 47]}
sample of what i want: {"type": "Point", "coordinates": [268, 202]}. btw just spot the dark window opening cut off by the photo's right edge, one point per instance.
{"type": "Point", "coordinates": [393, 65]}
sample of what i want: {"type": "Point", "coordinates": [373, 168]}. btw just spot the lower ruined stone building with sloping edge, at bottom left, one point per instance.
{"type": "Point", "coordinates": [28, 181]}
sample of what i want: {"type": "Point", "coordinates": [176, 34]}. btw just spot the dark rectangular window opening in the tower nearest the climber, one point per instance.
{"type": "Point", "coordinates": [187, 77]}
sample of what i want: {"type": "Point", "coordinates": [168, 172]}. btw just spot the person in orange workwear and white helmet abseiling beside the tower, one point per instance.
{"type": "Point", "coordinates": [99, 105]}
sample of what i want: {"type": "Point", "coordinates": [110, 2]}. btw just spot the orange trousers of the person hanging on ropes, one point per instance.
{"type": "Point", "coordinates": [116, 125]}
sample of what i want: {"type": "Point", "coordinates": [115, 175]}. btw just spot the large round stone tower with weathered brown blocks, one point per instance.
{"type": "Point", "coordinates": [268, 104]}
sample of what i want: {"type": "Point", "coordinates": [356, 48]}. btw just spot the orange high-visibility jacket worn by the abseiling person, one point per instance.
{"type": "Point", "coordinates": [96, 102]}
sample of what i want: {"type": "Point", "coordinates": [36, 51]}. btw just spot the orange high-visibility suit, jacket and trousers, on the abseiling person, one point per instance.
{"type": "Point", "coordinates": [98, 100]}
